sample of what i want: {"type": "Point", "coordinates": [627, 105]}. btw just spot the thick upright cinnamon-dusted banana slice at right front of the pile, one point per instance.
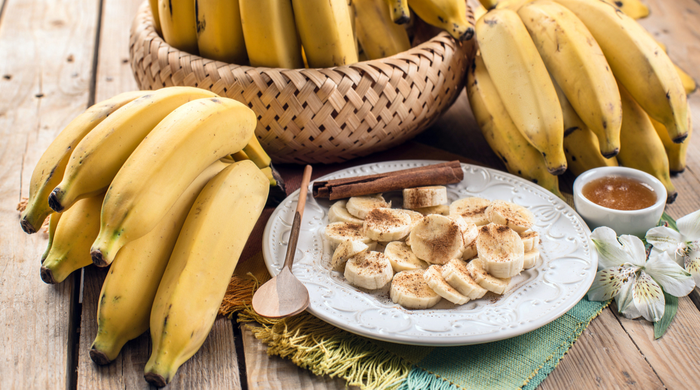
{"type": "Point", "coordinates": [500, 250]}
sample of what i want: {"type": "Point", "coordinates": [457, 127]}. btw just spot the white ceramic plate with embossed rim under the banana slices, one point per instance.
{"type": "Point", "coordinates": [563, 274]}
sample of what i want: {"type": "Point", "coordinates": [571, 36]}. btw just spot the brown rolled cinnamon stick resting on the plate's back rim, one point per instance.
{"type": "Point", "coordinates": [436, 174]}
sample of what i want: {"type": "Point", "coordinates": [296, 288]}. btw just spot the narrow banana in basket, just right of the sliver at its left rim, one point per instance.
{"type": "Point", "coordinates": [179, 24]}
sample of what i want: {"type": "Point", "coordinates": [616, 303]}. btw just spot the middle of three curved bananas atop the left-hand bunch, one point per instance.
{"type": "Point", "coordinates": [99, 156]}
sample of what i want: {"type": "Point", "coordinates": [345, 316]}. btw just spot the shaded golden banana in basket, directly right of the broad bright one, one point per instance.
{"type": "Point", "coordinates": [378, 35]}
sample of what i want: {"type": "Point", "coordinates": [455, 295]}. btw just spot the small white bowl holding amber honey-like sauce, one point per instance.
{"type": "Point", "coordinates": [635, 222]}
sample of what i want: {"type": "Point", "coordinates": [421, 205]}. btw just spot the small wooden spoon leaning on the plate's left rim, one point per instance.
{"type": "Point", "coordinates": [284, 295]}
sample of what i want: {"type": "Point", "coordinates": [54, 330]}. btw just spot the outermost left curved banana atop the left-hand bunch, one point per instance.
{"type": "Point", "coordinates": [49, 170]}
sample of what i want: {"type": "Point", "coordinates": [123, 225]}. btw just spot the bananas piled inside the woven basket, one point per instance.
{"type": "Point", "coordinates": [300, 33]}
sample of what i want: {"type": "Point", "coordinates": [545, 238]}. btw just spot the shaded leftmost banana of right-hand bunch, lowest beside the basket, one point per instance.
{"type": "Point", "coordinates": [519, 157]}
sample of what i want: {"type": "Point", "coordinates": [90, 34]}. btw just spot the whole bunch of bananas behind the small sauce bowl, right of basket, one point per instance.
{"type": "Point", "coordinates": [577, 84]}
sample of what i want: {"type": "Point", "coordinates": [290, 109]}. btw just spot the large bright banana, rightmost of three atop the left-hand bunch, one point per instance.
{"type": "Point", "coordinates": [183, 144]}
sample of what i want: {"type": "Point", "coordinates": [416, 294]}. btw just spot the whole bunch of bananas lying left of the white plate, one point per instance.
{"type": "Point", "coordinates": [145, 182]}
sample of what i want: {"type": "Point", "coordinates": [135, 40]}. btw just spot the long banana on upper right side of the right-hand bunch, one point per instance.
{"type": "Point", "coordinates": [637, 62]}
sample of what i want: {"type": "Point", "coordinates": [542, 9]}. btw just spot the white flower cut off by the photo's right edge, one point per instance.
{"type": "Point", "coordinates": [683, 247]}
